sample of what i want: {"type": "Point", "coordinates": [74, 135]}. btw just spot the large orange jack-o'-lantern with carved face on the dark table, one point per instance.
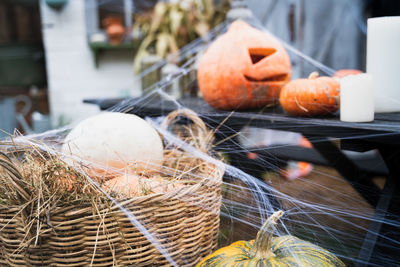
{"type": "Point", "coordinates": [243, 68]}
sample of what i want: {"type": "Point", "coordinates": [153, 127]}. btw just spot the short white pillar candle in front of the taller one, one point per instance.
{"type": "Point", "coordinates": [356, 98]}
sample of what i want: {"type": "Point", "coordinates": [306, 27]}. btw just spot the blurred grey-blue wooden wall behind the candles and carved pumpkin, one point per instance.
{"type": "Point", "coordinates": [331, 32]}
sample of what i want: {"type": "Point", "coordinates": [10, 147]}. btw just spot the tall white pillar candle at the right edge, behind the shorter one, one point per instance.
{"type": "Point", "coordinates": [383, 62]}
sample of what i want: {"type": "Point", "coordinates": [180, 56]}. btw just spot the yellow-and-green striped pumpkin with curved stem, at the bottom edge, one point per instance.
{"type": "Point", "coordinates": [267, 250]}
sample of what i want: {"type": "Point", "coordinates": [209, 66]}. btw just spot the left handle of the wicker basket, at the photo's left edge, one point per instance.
{"type": "Point", "coordinates": [14, 177]}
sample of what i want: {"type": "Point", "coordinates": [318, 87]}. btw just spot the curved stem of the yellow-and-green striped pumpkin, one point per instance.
{"type": "Point", "coordinates": [262, 247]}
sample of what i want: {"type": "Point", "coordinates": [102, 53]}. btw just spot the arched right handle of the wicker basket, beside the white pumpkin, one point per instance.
{"type": "Point", "coordinates": [204, 137]}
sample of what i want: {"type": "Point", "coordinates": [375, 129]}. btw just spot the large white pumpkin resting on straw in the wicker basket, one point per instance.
{"type": "Point", "coordinates": [115, 141]}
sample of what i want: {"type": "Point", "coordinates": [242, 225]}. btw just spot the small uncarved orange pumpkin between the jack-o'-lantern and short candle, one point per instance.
{"type": "Point", "coordinates": [312, 96]}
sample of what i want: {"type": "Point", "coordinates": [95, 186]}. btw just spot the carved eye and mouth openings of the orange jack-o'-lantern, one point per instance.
{"type": "Point", "coordinates": [259, 54]}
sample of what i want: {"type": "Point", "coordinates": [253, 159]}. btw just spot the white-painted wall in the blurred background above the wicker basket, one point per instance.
{"type": "Point", "coordinates": [71, 71]}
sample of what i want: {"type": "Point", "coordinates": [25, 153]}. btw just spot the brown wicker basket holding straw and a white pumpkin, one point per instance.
{"type": "Point", "coordinates": [185, 222]}
